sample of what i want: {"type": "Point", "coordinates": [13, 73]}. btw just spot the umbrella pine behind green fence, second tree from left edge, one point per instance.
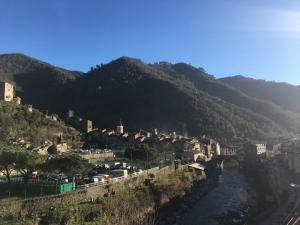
{"type": "Point", "coordinates": [27, 162]}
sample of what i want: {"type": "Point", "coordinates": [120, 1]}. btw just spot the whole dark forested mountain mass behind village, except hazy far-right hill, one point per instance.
{"type": "Point", "coordinates": [167, 96]}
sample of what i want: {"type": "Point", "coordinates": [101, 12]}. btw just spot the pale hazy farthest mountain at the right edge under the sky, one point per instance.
{"type": "Point", "coordinates": [283, 94]}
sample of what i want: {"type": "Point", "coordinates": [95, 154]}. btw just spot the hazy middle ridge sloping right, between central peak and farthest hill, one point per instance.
{"type": "Point", "coordinates": [213, 87]}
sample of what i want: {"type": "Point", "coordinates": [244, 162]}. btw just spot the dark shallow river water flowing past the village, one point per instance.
{"type": "Point", "coordinates": [228, 193]}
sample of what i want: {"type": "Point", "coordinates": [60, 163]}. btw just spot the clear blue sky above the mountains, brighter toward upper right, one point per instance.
{"type": "Point", "coordinates": [256, 38]}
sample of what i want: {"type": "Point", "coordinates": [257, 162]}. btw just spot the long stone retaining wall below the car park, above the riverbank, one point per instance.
{"type": "Point", "coordinates": [36, 204]}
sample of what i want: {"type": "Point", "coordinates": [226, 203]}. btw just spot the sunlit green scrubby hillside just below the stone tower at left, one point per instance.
{"type": "Point", "coordinates": [19, 125]}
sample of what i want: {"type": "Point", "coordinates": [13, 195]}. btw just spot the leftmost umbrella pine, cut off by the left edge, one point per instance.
{"type": "Point", "coordinates": [7, 162]}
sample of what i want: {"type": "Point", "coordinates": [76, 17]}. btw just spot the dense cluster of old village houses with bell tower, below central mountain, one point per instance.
{"type": "Point", "coordinates": [172, 145]}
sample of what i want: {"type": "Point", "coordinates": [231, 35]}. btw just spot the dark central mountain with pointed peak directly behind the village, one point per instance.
{"type": "Point", "coordinates": [151, 95]}
